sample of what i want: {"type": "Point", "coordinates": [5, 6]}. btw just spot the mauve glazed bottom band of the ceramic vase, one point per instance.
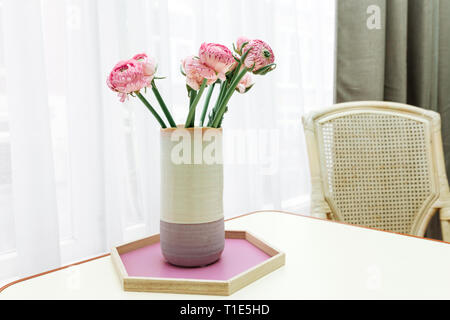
{"type": "Point", "coordinates": [192, 245]}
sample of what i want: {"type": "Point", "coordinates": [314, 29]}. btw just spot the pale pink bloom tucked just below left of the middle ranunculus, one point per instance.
{"type": "Point", "coordinates": [196, 71]}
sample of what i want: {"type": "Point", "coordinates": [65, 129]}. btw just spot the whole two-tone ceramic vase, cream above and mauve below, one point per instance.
{"type": "Point", "coordinates": [192, 225]}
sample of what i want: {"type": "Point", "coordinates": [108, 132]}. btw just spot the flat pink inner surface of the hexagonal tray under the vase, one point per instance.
{"type": "Point", "coordinates": [238, 256]}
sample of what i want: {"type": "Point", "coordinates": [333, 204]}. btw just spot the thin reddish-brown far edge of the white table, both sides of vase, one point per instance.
{"type": "Point", "coordinates": [233, 218]}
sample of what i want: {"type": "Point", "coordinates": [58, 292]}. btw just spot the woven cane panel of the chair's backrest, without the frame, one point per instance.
{"type": "Point", "coordinates": [377, 167]}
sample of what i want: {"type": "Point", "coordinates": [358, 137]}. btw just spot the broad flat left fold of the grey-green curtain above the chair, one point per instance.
{"type": "Point", "coordinates": [360, 51]}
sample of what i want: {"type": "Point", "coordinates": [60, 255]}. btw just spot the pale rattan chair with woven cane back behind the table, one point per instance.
{"type": "Point", "coordinates": [378, 164]}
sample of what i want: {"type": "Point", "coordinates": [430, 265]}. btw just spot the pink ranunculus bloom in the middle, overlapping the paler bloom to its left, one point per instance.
{"type": "Point", "coordinates": [217, 57]}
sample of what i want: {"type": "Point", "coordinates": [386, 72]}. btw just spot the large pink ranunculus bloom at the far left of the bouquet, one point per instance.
{"type": "Point", "coordinates": [127, 77]}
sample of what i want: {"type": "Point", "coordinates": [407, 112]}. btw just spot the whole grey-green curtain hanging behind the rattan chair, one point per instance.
{"type": "Point", "coordinates": [396, 50]}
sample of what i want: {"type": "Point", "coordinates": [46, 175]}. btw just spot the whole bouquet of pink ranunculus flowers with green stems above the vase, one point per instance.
{"type": "Point", "coordinates": [214, 65]}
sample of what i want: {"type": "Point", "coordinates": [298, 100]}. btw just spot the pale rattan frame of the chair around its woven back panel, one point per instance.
{"type": "Point", "coordinates": [322, 205]}
